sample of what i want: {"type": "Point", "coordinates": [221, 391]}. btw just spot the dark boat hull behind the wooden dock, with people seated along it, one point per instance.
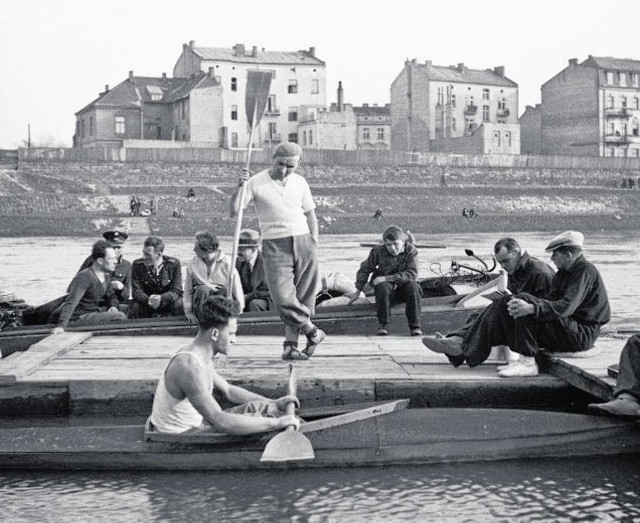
{"type": "Point", "coordinates": [437, 314]}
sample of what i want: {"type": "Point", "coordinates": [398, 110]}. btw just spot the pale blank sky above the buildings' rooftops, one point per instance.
{"type": "Point", "coordinates": [57, 55]}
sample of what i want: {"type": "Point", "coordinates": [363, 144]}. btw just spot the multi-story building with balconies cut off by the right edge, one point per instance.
{"type": "Point", "coordinates": [593, 108]}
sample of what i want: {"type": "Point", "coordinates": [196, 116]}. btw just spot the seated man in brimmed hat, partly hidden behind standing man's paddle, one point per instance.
{"type": "Point", "coordinates": [251, 270]}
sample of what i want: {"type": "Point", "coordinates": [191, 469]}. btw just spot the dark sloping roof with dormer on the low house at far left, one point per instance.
{"type": "Point", "coordinates": [129, 92]}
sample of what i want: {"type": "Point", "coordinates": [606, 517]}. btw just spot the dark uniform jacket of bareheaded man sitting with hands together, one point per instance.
{"type": "Point", "coordinates": [168, 284]}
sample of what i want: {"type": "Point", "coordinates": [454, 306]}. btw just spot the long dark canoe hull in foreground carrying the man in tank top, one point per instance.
{"type": "Point", "coordinates": [415, 436]}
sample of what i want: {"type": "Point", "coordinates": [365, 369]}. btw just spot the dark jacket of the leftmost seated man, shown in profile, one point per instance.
{"type": "Point", "coordinates": [86, 294]}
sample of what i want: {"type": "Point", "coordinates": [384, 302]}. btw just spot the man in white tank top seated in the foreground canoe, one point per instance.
{"type": "Point", "coordinates": [183, 400]}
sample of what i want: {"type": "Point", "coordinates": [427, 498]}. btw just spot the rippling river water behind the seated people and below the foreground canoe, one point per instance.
{"type": "Point", "coordinates": [39, 269]}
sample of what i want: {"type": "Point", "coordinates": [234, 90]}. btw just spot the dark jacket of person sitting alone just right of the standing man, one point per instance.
{"type": "Point", "coordinates": [381, 262]}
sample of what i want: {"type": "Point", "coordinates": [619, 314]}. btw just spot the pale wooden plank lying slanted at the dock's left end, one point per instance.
{"type": "Point", "coordinates": [39, 354]}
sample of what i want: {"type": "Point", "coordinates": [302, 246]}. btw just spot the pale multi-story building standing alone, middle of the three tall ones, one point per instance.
{"type": "Point", "coordinates": [454, 108]}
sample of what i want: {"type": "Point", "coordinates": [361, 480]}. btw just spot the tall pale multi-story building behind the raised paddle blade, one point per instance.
{"type": "Point", "coordinates": [298, 85]}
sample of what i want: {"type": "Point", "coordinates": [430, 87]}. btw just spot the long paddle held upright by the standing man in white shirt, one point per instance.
{"type": "Point", "coordinates": [255, 102]}
